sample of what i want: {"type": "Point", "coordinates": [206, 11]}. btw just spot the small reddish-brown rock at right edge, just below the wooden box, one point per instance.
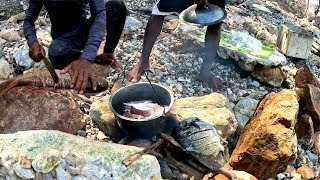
{"type": "Point", "coordinates": [305, 76]}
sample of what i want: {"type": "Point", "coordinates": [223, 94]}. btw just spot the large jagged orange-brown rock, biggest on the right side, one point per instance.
{"type": "Point", "coordinates": [268, 141]}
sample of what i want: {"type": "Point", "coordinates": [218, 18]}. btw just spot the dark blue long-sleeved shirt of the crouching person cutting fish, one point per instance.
{"type": "Point", "coordinates": [67, 16]}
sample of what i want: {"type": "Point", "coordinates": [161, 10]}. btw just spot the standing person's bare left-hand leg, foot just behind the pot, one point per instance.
{"type": "Point", "coordinates": [153, 30]}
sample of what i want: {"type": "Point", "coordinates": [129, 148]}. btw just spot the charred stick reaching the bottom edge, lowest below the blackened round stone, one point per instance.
{"type": "Point", "coordinates": [183, 167]}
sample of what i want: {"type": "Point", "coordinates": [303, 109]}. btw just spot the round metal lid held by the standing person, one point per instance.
{"type": "Point", "coordinates": [208, 15]}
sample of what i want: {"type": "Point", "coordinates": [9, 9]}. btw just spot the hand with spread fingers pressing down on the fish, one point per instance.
{"type": "Point", "coordinates": [80, 71]}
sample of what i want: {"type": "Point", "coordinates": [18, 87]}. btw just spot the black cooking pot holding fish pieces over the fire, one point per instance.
{"type": "Point", "coordinates": [141, 128]}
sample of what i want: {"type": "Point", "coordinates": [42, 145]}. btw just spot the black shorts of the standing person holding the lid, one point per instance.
{"type": "Point", "coordinates": [179, 5]}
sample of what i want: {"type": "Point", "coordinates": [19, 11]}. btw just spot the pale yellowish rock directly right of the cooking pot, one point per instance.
{"type": "Point", "coordinates": [212, 108]}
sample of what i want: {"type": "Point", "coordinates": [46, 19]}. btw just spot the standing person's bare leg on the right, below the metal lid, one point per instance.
{"type": "Point", "coordinates": [212, 40]}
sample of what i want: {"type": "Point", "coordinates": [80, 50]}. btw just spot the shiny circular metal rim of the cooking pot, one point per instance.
{"type": "Point", "coordinates": [166, 109]}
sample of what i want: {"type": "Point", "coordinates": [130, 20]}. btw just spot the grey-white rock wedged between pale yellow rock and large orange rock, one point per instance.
{"type": "Point", "coordinates": [244, 109]}
